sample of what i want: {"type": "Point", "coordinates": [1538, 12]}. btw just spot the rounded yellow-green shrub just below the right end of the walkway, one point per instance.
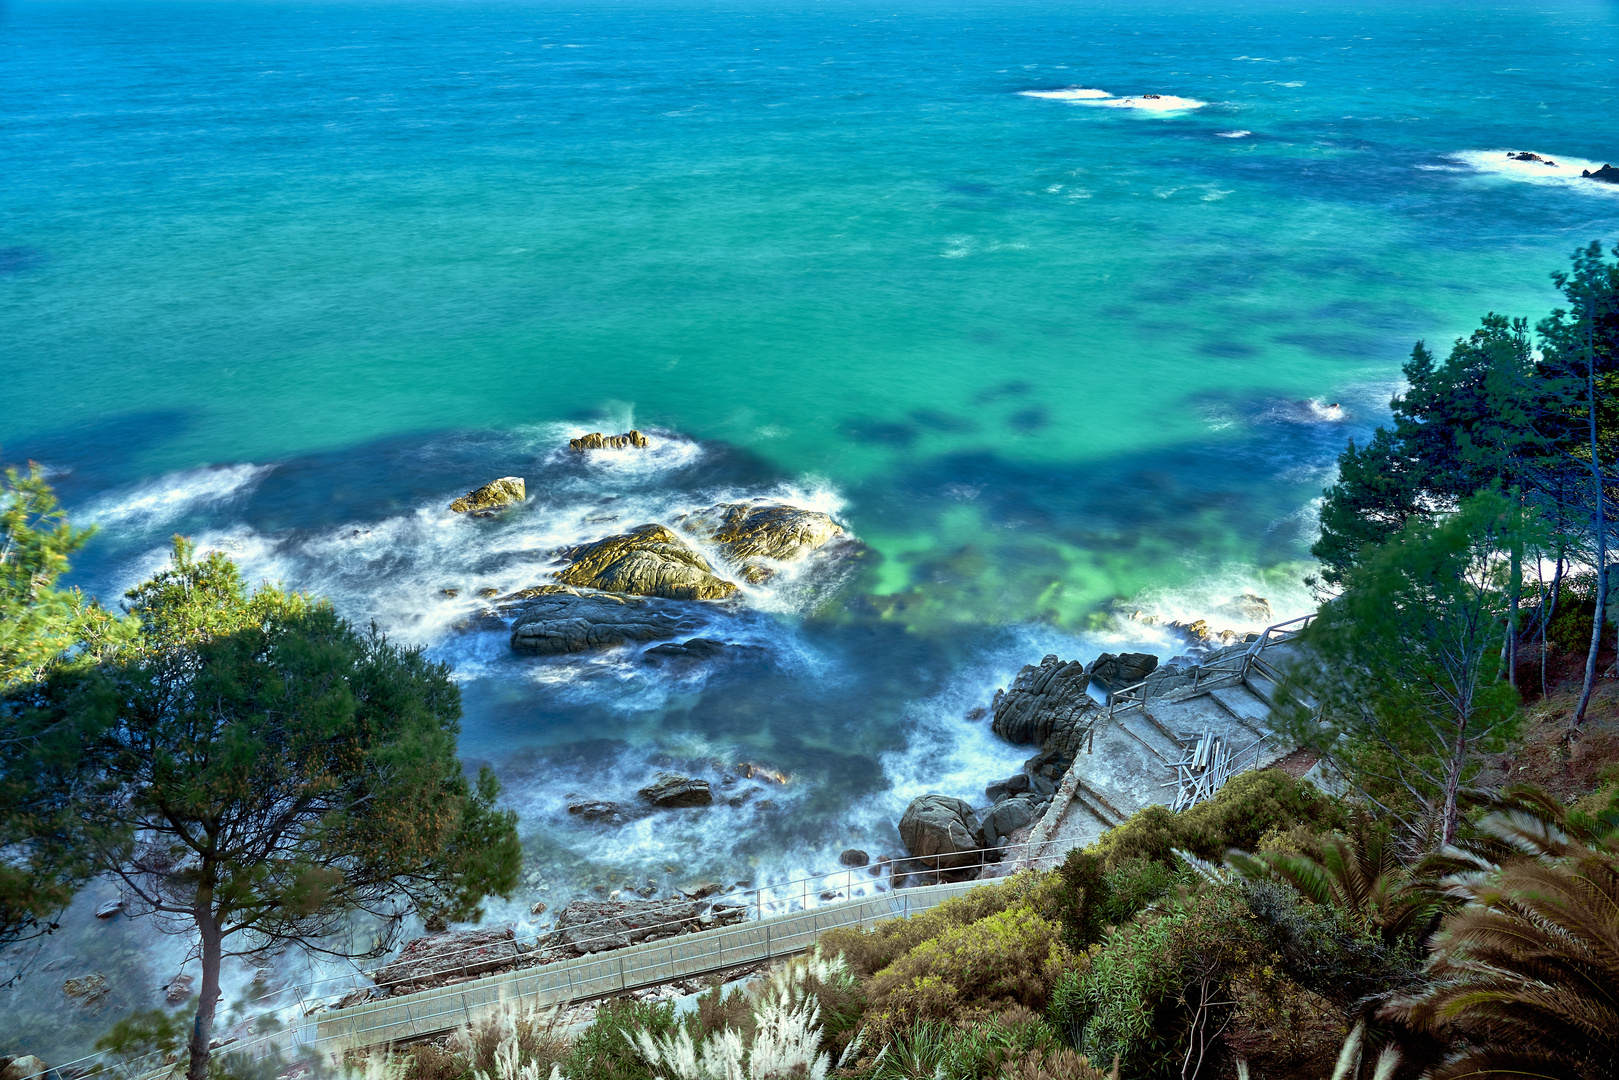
{"type": "Point", "coordinates": [969, 972]}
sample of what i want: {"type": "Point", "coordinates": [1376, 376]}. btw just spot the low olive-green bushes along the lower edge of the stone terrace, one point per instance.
{"type": "Point", "coordinates": [1241, 814]}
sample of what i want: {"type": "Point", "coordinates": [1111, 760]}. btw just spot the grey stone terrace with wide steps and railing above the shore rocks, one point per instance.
{"type": "Point", "coordinates": [1152, 728]}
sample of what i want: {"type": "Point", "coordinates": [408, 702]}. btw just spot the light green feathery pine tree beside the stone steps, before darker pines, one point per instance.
{"type": "Point", "coordinates": [1406, 666]}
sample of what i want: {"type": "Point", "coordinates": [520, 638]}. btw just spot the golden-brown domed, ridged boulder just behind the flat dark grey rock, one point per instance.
{"type": "Point", "coordinates": [648, 561]}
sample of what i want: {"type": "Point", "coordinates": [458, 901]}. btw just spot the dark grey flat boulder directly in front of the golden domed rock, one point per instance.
{"type": "Point", "coordinates": [569, 621]}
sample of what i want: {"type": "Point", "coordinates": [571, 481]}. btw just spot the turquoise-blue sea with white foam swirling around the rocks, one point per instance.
{"type": "Point", "coordinates": [1063, 310]}
